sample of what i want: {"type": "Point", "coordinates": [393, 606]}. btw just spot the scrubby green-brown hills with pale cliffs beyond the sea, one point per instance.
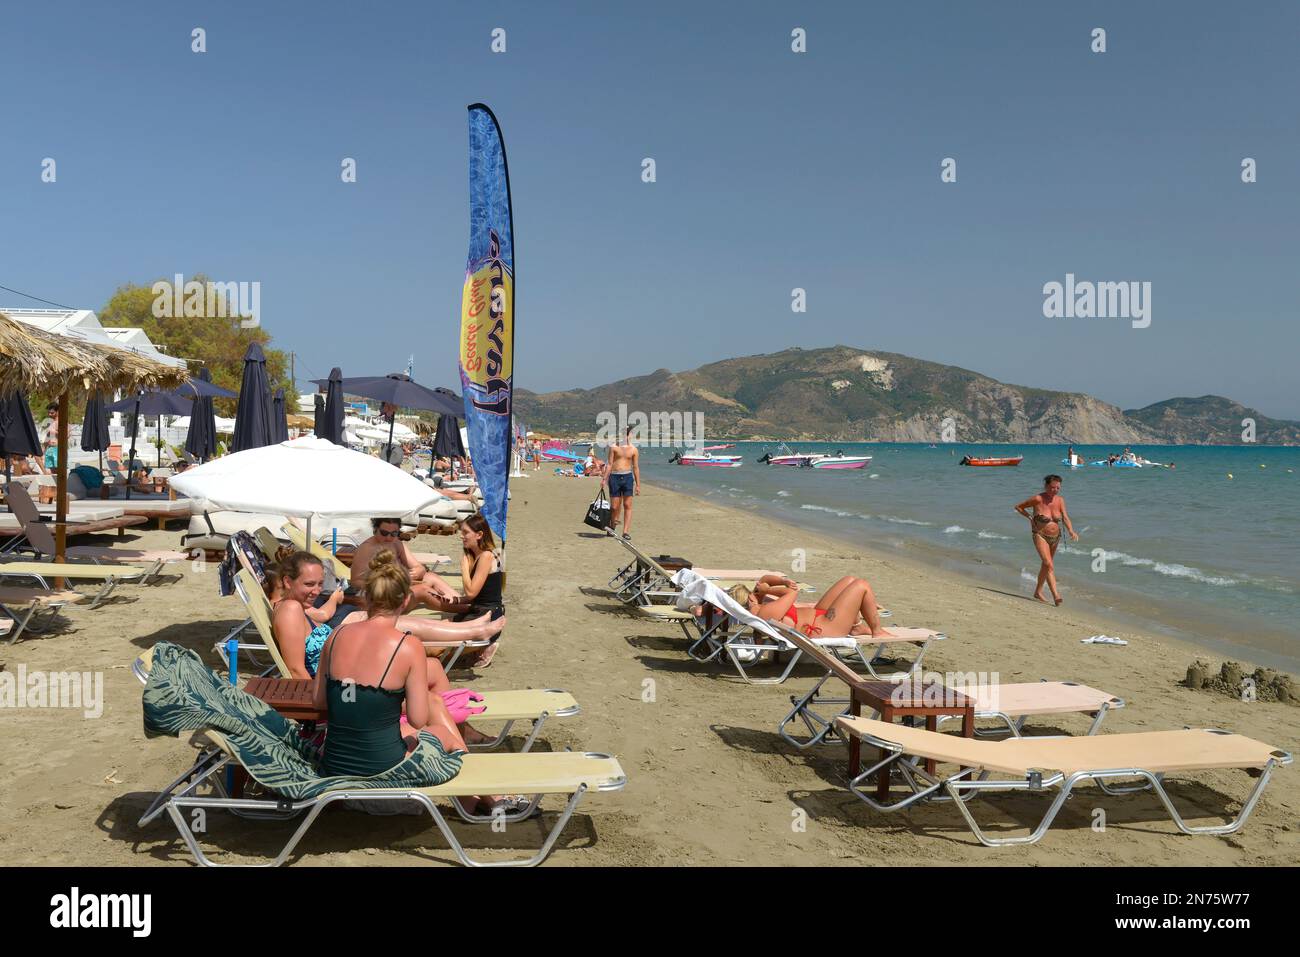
{"type": "Point", "coordinates": [848, 395]}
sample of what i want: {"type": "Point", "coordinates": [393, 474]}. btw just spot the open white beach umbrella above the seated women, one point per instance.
{"type": "Point", "coordinates": [307, 478]}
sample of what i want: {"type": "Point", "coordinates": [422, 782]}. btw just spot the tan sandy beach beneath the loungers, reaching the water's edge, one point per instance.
{"type": "Point", "coordinates": [709, 781]}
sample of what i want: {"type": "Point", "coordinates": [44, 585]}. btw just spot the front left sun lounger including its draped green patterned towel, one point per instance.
{"type": "Point", "coordinates": [245, 733]}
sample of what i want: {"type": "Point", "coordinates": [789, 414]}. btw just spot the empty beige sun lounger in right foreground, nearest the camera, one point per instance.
{"type": "Point", "coordinates": [1041, 764]}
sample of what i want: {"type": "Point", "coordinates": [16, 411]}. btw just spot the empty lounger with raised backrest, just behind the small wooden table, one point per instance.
{"type": "Point", "coordinates": [1011, 704]}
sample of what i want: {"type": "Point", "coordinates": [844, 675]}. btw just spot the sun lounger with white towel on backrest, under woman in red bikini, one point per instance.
{"type": "Point", "coordinates": [759, 636]}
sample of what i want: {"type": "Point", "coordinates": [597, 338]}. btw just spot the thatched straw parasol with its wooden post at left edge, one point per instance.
{"type": "Point", "coordinates": [34, 361]}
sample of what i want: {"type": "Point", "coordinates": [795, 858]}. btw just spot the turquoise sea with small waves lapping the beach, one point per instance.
{"type": "Point", "coordinates": [1208, 551]}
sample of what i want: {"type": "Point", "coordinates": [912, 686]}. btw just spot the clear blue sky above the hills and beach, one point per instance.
{"type": "Point", "coordinates": [775, 171]}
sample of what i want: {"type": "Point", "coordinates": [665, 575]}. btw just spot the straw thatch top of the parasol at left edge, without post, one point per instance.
{"type": "Point", "coordinates": [36, 361]}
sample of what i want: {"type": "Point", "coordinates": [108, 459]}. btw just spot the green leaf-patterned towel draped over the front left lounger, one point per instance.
{"type": "Point", "coordinates": [184, 695]}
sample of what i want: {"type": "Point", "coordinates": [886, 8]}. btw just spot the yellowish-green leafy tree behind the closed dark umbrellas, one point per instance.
{"type": "Point", "coordinates": [219, 344]}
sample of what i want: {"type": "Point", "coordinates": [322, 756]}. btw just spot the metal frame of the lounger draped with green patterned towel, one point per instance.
{"type": "Point", "coordinates": [213, 761]}
